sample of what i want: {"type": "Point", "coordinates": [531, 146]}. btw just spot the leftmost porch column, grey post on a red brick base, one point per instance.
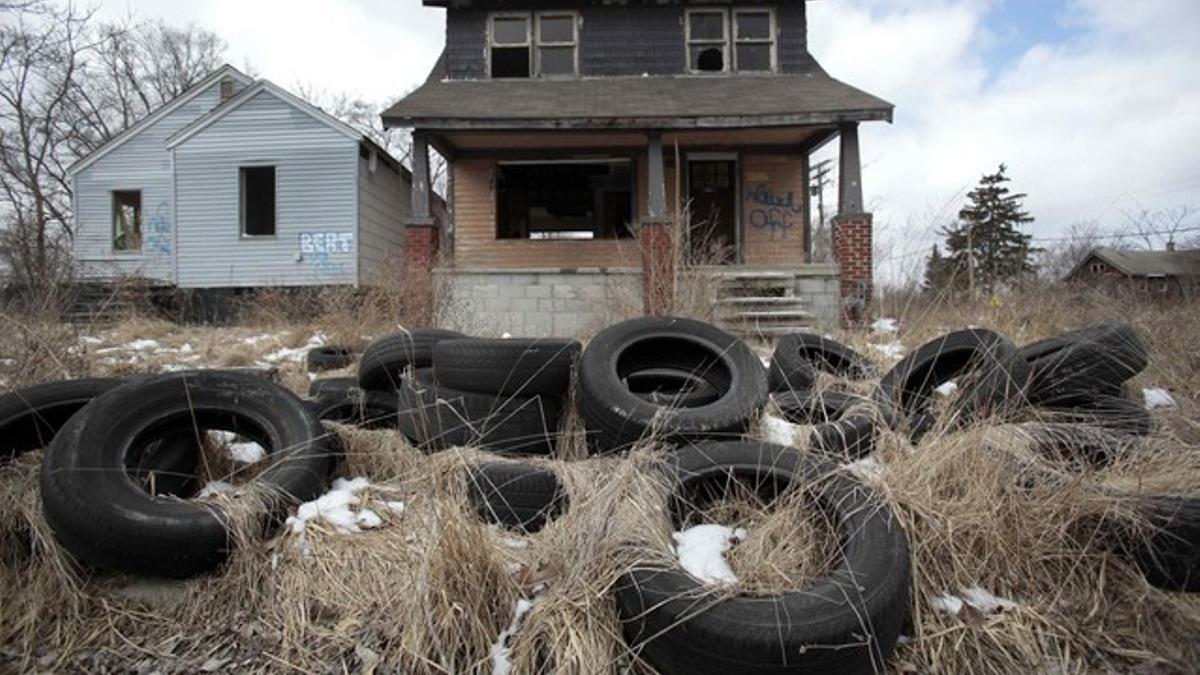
{"type": "Point", "coordinates": [421, 237]}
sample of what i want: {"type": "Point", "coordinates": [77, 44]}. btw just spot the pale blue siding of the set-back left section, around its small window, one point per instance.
{"type": "Point", "coordinates": [143, 163]}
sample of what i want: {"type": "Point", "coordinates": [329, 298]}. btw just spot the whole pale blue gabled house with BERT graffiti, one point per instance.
{"type": "Point", "coordinates": [238, 184]}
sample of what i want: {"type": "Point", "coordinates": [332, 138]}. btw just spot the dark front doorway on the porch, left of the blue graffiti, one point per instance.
{"type": "Point", "coordinates": [713, 192]}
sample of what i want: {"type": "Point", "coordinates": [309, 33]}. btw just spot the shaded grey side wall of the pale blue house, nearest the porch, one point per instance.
{"type": "Point", "coordinates": [383, 205]}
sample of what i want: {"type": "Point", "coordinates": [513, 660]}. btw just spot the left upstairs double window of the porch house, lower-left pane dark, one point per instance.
{"type": "Point", "coordinates": [529, 45]}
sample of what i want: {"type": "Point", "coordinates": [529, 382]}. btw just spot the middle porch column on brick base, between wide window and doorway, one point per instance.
{"type": "Point", "coordinates": [656, 236]}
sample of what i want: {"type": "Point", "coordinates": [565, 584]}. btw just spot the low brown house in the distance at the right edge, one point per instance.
{"type": "Point", "coordinates": [1163, 274]}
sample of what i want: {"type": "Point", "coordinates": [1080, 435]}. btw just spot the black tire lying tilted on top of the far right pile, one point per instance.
{"type": "Point", "coordinates": [1095, 361]}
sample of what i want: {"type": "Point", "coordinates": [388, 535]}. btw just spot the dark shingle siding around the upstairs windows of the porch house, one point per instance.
{"type": "Point", "coordinates": [621, 40]}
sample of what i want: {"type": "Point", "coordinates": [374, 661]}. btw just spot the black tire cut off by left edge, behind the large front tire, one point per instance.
{"type": "Point", "coordinates": [31, 417]}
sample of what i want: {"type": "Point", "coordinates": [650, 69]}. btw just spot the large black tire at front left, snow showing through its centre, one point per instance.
{"type": "Point", "coordinates": [107, 521]}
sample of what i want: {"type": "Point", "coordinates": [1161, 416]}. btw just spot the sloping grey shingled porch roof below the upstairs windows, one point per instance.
{"type": "Point", "coordinates": [637, 103]}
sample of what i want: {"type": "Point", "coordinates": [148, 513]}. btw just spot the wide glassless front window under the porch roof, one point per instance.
{"type": "Point", "coordinates": [567, 200]}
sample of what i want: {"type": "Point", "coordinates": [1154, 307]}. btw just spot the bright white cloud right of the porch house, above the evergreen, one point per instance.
{"type": "Point", "coordinates": [1103, 124]}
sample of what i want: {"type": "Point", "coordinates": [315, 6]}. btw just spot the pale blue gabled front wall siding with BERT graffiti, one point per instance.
{"type": "Point", "coordinates": [316, 194]}
